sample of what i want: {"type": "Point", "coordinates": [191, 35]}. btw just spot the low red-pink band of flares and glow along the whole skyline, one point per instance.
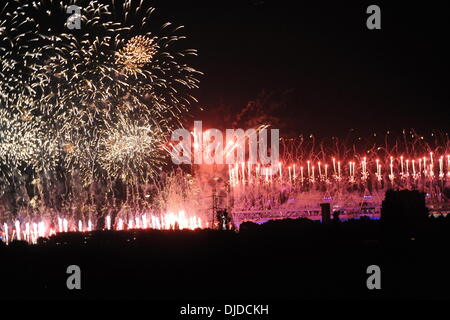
{"type": "Point", "coordinates": [352, 181]}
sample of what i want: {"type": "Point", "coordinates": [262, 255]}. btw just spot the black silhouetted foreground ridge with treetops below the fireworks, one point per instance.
{"type": "Point", "coordinates": [285, 259]}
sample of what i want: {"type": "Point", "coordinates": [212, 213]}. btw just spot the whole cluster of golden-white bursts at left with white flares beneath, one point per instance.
{"type": "Point", "coordinates": [84, 111]}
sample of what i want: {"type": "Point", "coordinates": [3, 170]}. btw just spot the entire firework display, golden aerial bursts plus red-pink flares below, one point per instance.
{"type": "Point", "coordinates": [85, 120]}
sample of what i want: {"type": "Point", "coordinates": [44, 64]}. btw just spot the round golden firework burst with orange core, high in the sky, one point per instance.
{"type": "Point", "coordinates": [111, 63]}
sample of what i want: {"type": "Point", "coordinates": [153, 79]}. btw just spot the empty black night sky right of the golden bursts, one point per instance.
{"type": "Point", "coordinates": [337, 74]}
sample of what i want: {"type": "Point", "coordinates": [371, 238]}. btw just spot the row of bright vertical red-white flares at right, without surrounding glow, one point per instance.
{"type": "Point", "coordinates": [399, 169]}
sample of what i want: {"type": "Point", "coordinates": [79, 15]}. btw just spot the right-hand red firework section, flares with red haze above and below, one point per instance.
{"type": "Point", "coordinates": [345, 174]}
